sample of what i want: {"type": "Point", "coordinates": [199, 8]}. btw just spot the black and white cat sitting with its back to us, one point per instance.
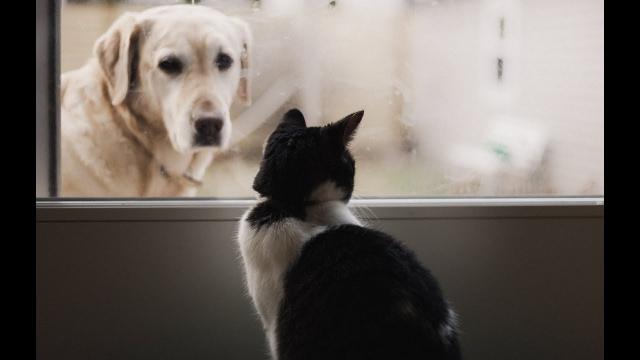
{"type": "Point", "coordinates": [326, 287]}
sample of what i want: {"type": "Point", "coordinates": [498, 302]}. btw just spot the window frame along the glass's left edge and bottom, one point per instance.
{"type": "Point", "coordinates": [48, 161]}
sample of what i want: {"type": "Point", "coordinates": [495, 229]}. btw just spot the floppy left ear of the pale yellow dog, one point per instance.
{"type": "Point", "coordinates": [114, 51]}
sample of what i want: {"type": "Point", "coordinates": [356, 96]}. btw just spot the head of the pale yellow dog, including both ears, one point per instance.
{"type": "Point", "coordinates": [178, 68]}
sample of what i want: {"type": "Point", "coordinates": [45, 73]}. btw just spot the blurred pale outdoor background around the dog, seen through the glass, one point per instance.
{"type": "Point", "coordinates": [461, 97]}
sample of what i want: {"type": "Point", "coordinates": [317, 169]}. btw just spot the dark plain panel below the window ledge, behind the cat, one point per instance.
{"type": "Point", "coordinates": [525, 286]}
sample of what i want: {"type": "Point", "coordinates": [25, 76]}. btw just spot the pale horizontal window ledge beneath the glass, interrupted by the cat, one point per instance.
{"type": "Point", "coordinates": [89, 210]}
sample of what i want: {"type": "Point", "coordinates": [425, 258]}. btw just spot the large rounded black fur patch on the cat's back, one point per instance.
{"type": "Point", "coordinates": [357, 293]}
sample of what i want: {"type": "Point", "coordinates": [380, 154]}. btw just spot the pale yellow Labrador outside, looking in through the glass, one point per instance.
{"type": "Point", "coordinates": [145, 115]}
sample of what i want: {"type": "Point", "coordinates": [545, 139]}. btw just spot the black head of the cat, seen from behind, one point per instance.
{"type": "Point", "coordinates": [303, 165]}
